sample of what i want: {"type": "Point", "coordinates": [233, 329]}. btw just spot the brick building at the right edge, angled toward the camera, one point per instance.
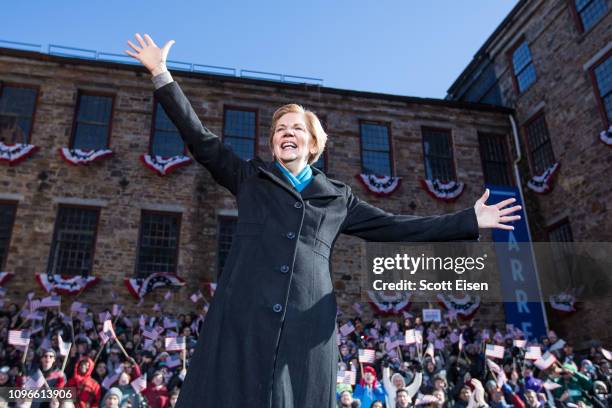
{"type": "Point", "coordinates": [551, 61]}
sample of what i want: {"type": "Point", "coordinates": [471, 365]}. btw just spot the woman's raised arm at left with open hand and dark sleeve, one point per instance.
{"type": "Point", "coordinates": [226, 167]}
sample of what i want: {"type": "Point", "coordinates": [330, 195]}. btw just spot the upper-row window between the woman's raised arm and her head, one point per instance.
{"type": "Point", "coordinates": [239, 130]}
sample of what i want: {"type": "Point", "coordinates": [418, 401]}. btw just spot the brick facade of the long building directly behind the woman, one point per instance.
{"type": "Point", "coordinates": [127, 214]}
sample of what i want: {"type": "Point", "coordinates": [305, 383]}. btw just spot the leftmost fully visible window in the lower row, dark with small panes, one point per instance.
{"type": "Point", "coordinates": [73, 241]}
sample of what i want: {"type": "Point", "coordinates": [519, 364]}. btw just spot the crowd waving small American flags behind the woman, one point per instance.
{"type": "Point", "coordinates": [109, 359]}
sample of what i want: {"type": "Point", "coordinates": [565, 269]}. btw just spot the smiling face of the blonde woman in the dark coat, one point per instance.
{"type": "Point", "coordinates": [291, 141]}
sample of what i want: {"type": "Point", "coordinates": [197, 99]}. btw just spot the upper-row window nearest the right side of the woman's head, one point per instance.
{"type": "Point", "coordinates": [375, 149]}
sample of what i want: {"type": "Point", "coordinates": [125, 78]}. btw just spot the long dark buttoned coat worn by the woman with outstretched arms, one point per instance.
{"type": "Point", "coordinates": [269, 339]}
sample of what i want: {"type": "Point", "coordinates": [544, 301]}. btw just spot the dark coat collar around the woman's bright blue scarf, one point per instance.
{"type": "Point", "coordinates": [319, 185]}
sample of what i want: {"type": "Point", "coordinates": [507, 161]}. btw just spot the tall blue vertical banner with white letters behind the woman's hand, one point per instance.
{"type": "Point", "coordinates": [519, 276]}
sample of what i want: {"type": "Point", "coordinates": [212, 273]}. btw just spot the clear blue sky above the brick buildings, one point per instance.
{"type": "Point", "coordinates": [402, 47]}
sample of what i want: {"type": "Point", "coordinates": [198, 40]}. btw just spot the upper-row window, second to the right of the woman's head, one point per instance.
{"type": "Point", "coordinates": [438, 155]}
